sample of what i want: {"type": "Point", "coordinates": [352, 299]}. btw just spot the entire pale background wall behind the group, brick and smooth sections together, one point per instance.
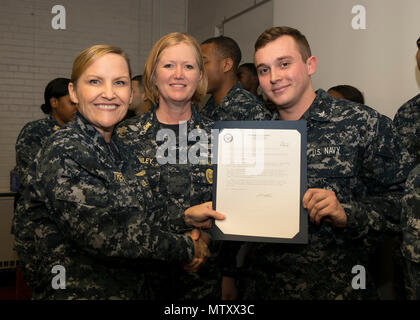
{"type": "Point", "coordinates": [379, 60]}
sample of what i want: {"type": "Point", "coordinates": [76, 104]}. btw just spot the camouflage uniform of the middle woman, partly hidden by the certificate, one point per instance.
{"type": "Point", "coordinates": [179, 183]}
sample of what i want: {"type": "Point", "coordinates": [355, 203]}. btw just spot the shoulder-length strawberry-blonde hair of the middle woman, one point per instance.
{"type": "Point", "coordinates": [150, 90]}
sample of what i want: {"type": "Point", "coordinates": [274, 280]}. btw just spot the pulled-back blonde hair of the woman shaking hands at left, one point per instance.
{"type": "Point", "coordinates": [89, 55]}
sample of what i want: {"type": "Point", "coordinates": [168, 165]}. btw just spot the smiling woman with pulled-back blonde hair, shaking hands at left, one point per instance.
{"type": "Point", "coordinates": [94, 215]}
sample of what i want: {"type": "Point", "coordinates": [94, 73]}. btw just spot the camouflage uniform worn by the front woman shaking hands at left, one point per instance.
{"type": "Point", "coordinates": [95, 216]}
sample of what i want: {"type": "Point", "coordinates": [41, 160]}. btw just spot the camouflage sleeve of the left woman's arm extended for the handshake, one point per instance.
{"type": "Point", "coordinates": [91, 218]}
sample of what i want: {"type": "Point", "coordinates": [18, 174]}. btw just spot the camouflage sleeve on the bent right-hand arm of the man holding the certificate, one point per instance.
{"type": "Point", "coordinates": [385, 166]}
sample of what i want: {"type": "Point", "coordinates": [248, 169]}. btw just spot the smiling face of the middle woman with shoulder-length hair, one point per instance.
{"type": "Point", "coordinates": [177, 74]}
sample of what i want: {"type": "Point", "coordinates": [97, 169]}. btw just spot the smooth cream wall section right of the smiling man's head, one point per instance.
{"type": "Point", "coordinates": [379, 60]}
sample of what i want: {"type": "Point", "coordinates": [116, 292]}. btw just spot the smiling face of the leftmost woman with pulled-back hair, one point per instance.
{"type": "Point", "coordinates": [103, 92]}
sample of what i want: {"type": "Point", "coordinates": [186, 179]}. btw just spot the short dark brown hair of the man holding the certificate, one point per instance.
{"type": "Point", "coordinates": [274, 33]}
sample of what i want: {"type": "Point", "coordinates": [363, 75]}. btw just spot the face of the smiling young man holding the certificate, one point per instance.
{"type": "Point", "coordinates": [284, 76]}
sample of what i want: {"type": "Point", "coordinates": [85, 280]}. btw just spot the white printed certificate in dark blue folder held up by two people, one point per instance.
{"type": "Point", "coordinates": [259, 184]}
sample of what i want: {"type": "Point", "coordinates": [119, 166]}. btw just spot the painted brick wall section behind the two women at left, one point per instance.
{"type": "Point", "coordinates": [32, 53]}
